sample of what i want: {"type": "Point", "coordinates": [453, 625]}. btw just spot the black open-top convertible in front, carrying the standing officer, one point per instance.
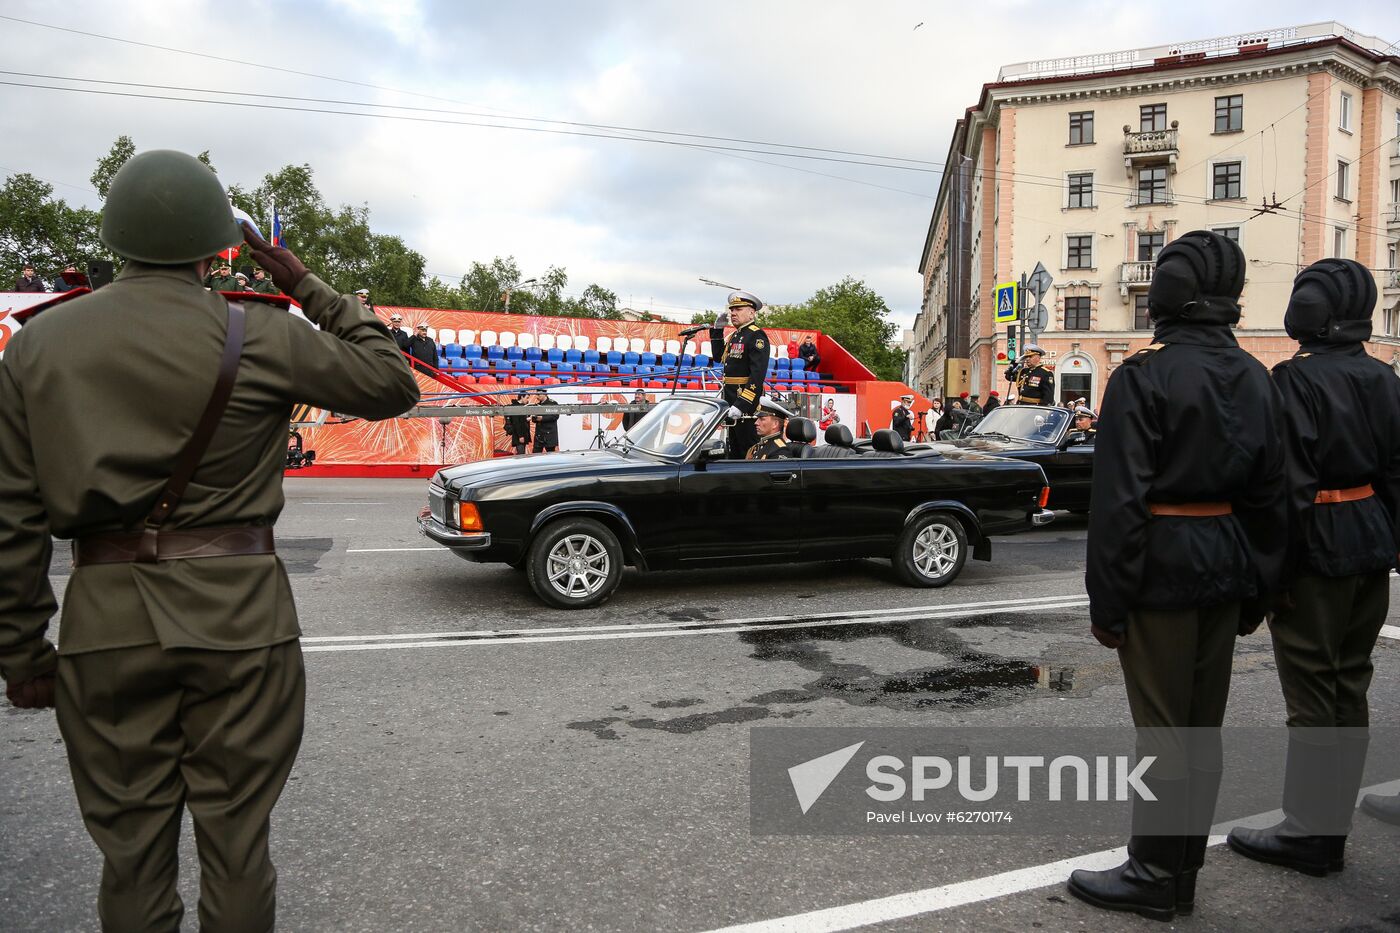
{"type": "Point", "coordinates": [666, 498]}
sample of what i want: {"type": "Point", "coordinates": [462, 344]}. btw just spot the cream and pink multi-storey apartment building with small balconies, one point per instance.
{"type": "Point", "coordinates": [1286, 141]}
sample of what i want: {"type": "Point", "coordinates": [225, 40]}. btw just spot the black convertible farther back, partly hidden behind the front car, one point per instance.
{"type": "Point", "coordinates": [1042, 435]}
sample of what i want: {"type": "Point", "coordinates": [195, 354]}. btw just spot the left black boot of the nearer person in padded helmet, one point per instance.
{"type": "Point", "coordinates": [1147, 883]}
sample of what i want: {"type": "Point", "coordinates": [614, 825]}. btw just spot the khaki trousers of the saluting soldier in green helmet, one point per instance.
{"type": "Point", "coordinates": [152, 732]}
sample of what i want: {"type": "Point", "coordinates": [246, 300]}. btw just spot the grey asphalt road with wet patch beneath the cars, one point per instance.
{"type": "Point", "coordinates": [590, 780]}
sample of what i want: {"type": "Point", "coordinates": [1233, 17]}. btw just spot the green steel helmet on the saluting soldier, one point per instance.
{"type": "Point", "coordinates": [167, 208]}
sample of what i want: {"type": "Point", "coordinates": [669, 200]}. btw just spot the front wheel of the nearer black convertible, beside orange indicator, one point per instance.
{"type": "Point", "coordinates": [575, 564]}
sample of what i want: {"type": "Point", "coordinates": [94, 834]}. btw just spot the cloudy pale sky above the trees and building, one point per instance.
{"type": "Point", "coordinates": [643, 219]}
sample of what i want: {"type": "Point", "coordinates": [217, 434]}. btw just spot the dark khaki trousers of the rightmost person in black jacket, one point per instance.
{"type": "Point", "coordinates": [1324, 648]}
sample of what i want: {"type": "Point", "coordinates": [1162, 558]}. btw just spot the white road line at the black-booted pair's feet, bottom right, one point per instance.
{"type": "Point", "coordinates": [997, 886]}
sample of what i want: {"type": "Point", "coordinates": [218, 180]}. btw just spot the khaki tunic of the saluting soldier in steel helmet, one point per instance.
{"type": "Point", "coordinates": [93, 421]}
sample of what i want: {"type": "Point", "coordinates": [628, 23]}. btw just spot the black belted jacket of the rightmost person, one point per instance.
{"type": "Point", "coordinates": [1342, 408]}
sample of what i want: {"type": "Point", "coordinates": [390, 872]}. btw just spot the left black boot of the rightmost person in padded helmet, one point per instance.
{"type": "Point", "coordinates": [1301, 841]}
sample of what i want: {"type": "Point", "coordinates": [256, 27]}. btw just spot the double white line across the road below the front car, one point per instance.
{"type": "Point", "coordinates": [666, 630]}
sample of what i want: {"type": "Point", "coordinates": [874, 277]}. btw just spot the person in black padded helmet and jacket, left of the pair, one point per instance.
{"type": "Point", "coordinates": [1185, 537]}
